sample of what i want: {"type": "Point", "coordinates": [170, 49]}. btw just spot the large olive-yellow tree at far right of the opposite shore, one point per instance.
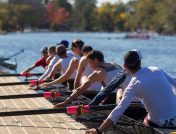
{"type": "Point", "coordinates": [156, 15]}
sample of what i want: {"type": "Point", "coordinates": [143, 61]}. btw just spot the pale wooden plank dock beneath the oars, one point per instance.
{"type": "Point", "coordinates": [40, 124]}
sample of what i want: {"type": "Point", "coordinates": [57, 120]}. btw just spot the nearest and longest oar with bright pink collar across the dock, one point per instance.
{"type": "Point", "coordinates": [68, 110]}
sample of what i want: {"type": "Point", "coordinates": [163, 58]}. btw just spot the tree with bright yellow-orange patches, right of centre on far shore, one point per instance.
{"type": "Point", "coordinates": [111, 17]}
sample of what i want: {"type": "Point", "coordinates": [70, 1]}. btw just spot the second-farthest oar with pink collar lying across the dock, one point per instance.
{"type": "Point", "coordinates": [32, 82]}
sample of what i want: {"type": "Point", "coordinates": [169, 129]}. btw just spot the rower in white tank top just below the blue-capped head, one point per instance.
{"type": "Point", "coordinates": [61, 66]}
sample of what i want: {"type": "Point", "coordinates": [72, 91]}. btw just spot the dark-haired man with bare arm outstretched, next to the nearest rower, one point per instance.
{"type": "Point", "coordinates": [102, 73]}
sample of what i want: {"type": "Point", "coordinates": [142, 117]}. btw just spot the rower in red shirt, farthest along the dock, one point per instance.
{"type": "Point", "coordinates": [39, 62]}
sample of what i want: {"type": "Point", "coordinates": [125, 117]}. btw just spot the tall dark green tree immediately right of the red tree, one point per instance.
{"type": "Point", "coordinates": [83, 15]}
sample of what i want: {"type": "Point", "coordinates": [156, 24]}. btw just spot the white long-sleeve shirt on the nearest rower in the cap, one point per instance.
{"type": "Point", "coordinates": [154, 87]}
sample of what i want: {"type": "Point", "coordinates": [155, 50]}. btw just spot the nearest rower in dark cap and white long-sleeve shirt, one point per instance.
{"type": "Point", "coordinates": [154, 87]}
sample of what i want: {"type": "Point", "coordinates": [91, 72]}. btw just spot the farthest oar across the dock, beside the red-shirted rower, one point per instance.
{"type": "Point", "coordinates": [22, 75]}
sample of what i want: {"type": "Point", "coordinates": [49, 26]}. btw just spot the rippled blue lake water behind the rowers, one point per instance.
{"type": "Point", "coordinates": [159, 50]}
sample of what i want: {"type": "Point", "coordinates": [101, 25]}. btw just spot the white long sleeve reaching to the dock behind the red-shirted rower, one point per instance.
{"type": "Point", "coordinates": [50, 66]}
